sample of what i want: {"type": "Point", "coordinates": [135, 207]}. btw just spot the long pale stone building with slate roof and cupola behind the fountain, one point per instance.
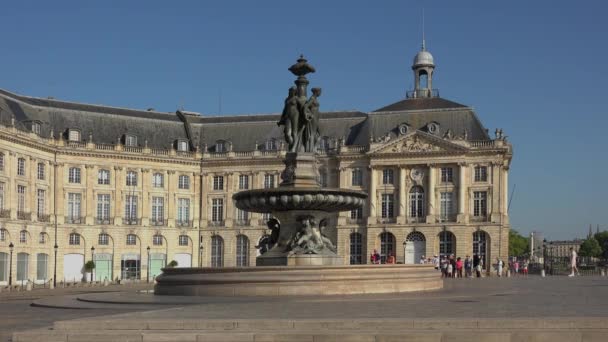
{"type": "Point", "coordinates": [134, 189]}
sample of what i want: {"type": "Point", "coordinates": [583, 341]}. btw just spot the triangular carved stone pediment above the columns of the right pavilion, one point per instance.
{"type": "Point", "coordinates": [418, 142]}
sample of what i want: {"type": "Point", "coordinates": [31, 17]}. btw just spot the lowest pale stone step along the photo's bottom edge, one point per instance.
{"type": "Point", "coordinates": [405, 335]}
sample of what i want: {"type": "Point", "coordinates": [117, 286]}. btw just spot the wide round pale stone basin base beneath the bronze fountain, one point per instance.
{"type": "Point", "coordinates": [297, 281]}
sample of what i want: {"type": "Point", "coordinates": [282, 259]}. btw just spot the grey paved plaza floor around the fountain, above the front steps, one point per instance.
{"type": "Point", "coordinates": [563, 299]}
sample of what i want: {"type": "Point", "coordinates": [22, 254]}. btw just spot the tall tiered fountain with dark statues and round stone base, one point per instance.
{"type": "Point", "coordinates": [302, 260]}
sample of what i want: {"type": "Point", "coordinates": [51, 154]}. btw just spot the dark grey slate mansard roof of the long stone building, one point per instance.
{"type": "Point", "coordinates": [109, 124]}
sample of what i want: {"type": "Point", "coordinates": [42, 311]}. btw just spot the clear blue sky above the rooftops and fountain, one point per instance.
{"type": "Point", "coordinates": [535, 68]}
